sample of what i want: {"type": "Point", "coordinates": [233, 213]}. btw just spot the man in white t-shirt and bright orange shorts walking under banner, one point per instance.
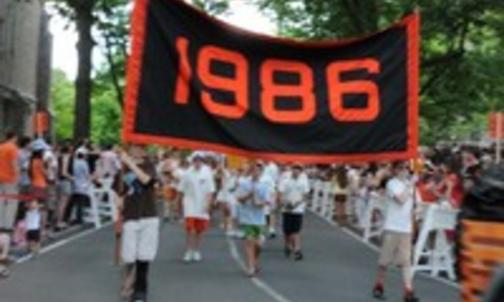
{"type": "Point", "coordinates": [197, 188]}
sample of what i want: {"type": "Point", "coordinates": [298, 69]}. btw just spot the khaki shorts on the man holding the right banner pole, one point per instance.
{"type": "Point", "coordinates": [396, 249]}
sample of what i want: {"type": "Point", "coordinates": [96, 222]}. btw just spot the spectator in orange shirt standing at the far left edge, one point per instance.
{"type": "Point", "coordinates": [9, 177]}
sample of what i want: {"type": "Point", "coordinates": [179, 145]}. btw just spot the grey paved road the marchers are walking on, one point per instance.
{"type": "Point", "coordinates": [337, 268]}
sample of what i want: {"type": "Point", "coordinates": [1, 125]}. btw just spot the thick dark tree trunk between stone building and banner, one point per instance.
{"type": "Point", "coordinates": [83, 85]}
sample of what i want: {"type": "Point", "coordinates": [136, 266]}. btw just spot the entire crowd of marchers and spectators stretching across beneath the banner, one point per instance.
{"type": "Point", "coordinates": [44, 189]}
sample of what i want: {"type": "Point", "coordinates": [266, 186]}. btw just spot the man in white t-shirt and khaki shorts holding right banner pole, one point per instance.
{"type": "Point", "coordinates": [398, 228]}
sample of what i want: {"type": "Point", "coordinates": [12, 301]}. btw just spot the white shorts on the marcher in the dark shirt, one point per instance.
{"type": "Point", "coordinates": [140, 240]}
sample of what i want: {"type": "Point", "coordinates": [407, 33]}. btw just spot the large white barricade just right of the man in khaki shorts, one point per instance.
{"type": "Point", "coordinates": [436, 256]}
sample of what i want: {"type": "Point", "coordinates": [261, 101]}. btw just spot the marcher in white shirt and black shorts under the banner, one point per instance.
{"type": "Point", "coordinates": [293, 191]}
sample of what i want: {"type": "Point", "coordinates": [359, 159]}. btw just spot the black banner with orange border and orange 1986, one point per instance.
{"type": "Point", "coordinates": [196, 82]}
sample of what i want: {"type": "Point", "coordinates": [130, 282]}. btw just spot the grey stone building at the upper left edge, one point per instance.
{"type": "Point", "coordinates": [25, 54]}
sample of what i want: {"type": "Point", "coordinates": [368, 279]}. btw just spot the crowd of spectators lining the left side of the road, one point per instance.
{"type": "Point", "coordinates": [44, 189]}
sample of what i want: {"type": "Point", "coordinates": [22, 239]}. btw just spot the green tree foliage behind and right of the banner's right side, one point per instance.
{"type": "Point", "coordinates": [461, 49]}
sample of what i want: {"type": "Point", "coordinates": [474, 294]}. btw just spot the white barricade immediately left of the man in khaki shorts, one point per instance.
{"type": "Point", "coordinates": [374, 217]}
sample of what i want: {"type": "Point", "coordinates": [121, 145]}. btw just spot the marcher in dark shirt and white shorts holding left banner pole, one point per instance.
{"type": "Point", "coordinates": [140, 233]}
